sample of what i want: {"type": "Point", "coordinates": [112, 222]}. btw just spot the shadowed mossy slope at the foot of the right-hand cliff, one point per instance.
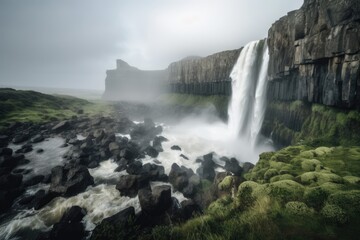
{"type": "Point", "coordinates": [311, 124]}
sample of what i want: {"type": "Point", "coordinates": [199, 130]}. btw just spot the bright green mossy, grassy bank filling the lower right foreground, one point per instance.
{"type": "Point", "coordinates": [282, 206]}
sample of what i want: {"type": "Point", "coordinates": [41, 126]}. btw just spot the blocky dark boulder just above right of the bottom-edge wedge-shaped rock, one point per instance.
{"type": "Point", "coordinates": [155, 201]}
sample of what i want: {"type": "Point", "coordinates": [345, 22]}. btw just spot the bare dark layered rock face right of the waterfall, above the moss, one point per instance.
{"type": "Point", "coordinates": [314, 54]}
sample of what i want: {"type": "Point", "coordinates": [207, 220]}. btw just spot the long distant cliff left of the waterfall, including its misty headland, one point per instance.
{"type": "Point", "coordinates": [192, 75]}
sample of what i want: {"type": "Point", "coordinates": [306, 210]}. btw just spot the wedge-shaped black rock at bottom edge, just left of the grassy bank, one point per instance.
{"type": "Point", "coordinates": [121, 222]}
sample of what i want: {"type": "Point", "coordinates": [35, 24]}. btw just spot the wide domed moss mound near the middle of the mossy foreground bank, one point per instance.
{"type": "Point", "coordinates": [286, 190]}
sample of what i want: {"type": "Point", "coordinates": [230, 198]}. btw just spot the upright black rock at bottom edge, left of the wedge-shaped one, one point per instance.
{"type": "Point", "coordinates": [70, 226]}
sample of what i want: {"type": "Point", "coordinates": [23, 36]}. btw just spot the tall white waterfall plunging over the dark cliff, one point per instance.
{"type": "Point", "coordinates": [249, 81]}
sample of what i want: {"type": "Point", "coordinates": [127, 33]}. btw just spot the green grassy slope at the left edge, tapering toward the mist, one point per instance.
{"type": "Point", "coordinates": [31, 106]}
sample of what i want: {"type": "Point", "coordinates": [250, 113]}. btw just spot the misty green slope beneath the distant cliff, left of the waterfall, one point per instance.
{"type": "Point", "coordinates": [220, 103]}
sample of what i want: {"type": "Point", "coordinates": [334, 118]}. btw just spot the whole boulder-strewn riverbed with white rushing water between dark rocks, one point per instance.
{"type": "Point", "coordinates": [76, 178]}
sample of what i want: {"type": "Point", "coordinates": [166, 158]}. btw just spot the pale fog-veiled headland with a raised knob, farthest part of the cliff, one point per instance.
{"type": "Point", "coordinates": [132, 84]}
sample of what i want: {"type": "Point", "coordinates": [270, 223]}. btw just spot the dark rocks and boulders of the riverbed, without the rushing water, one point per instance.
{"type": "Point", "coordinates": [90, 141]}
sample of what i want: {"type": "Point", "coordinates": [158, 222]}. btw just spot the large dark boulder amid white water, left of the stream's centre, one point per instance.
{"type": "Point", "coordinates": [70, 180]}
